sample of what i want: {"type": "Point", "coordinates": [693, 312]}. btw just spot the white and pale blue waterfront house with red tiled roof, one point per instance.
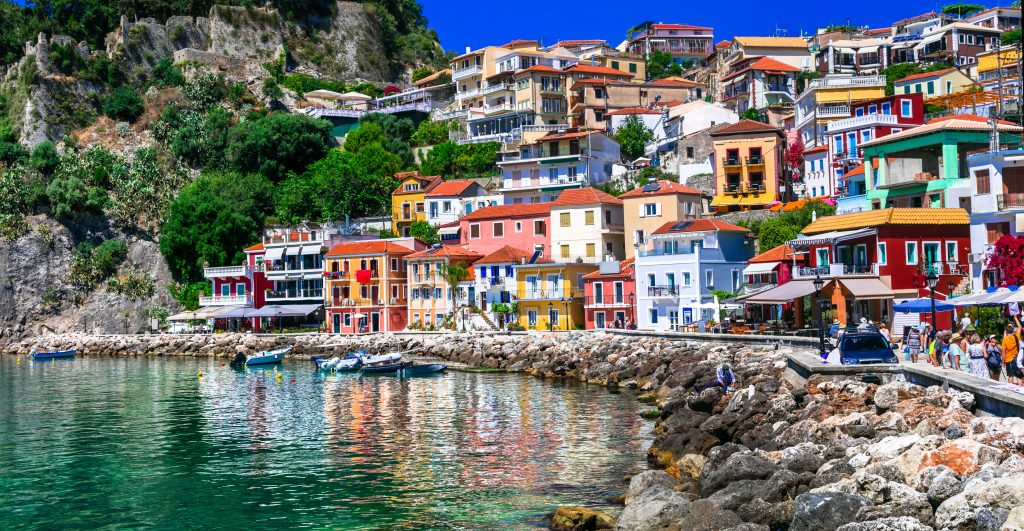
{"type": "Point", "coordinates": [682, 263]}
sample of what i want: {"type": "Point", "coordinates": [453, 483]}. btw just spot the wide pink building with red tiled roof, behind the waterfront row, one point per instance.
{"type": "Point", "coordinates": [522, 227]}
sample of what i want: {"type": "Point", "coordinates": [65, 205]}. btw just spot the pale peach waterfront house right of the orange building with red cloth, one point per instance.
{"type": "Point", "coordinates": [432, 299]}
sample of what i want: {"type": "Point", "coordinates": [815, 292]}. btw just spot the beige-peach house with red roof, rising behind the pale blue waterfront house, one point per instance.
{"type": "Point", "coordinates": [648, 208]}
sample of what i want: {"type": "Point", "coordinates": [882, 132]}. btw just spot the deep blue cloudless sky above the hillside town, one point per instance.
{"type": "Point", "coordinates": [462, 23]}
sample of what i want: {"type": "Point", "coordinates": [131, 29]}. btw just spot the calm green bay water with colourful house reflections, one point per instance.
{"type": "Point", "coordinates": [144, 444]}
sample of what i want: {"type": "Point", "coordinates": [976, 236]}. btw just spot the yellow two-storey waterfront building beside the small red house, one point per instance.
{"type": "Point", "coordinates": [550, 296]}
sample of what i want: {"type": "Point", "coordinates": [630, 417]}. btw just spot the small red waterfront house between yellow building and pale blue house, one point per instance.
{"type": "Point", "coordinates": [610, 296]}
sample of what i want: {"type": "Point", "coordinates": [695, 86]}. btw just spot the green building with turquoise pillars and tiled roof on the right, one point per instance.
{"type": "Point", "coordinates": [926, 166]}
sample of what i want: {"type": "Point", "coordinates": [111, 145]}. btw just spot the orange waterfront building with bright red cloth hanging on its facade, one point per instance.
{"type": "Point", "coordinates": [367, 286]}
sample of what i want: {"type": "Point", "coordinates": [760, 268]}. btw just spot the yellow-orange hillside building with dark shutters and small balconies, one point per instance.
{"type": "Point", "coordinates": [748, 166]}
